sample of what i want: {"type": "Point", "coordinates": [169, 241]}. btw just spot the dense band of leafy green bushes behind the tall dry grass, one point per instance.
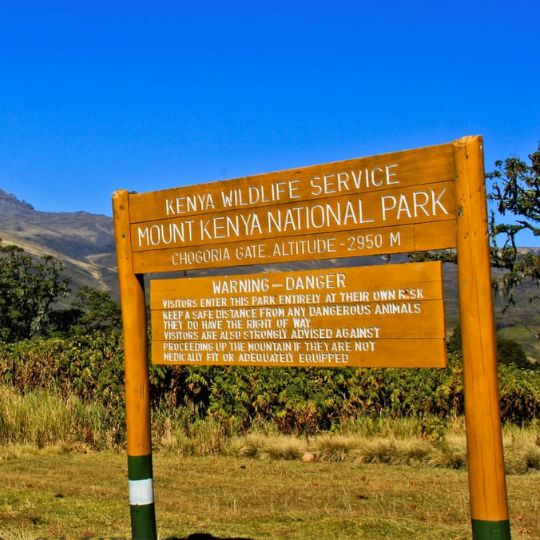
{"type": "Point", "coordinates": [294, 399]}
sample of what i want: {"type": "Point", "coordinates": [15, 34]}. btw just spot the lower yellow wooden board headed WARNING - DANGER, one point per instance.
{"type": "Point", "coordinates": [383, 316]}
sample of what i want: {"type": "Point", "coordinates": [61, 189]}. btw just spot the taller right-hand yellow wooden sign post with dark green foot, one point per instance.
{"type": "Point", "coordinates": [487, 483]}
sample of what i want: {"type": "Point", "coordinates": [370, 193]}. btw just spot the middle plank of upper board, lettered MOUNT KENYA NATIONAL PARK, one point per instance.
{"type": "Point", "coordinates": [310, 217]}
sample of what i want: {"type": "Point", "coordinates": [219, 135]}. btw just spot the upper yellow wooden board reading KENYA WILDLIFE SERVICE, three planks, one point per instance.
{"type": "Point", "coordinates": [391, 203]}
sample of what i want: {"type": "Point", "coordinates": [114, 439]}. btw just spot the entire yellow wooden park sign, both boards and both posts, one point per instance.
{"type": "Point", "coordinates": [416, 200]}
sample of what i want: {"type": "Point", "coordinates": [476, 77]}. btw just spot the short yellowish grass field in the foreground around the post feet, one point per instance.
{"type": "Point", "coordinates": [50, 494]}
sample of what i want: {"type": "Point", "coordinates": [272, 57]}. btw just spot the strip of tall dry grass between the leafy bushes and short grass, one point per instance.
{"type": "Point", "coordinates": [43, 419]}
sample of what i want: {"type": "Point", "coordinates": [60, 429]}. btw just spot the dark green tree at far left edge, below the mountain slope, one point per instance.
{"type": "Point", "coordinates": [28, 289]}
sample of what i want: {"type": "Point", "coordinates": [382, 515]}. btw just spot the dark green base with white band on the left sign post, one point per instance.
{"type": "Point", "coordinates": [141, 498]}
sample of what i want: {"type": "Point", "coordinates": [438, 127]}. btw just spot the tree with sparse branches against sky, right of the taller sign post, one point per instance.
{"type": "Point", "coordinates": [515, 191]}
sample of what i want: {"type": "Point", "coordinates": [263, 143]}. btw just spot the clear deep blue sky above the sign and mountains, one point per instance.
{"type": "Point", "coordinates": [97, 96]}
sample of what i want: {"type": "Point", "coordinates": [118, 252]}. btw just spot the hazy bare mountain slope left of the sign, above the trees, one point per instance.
{"type": "Point", "coordinates": [84, 242]}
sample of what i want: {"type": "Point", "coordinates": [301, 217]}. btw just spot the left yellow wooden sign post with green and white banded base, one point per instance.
{"type": "Point", "coordinates": [143, 522]}
